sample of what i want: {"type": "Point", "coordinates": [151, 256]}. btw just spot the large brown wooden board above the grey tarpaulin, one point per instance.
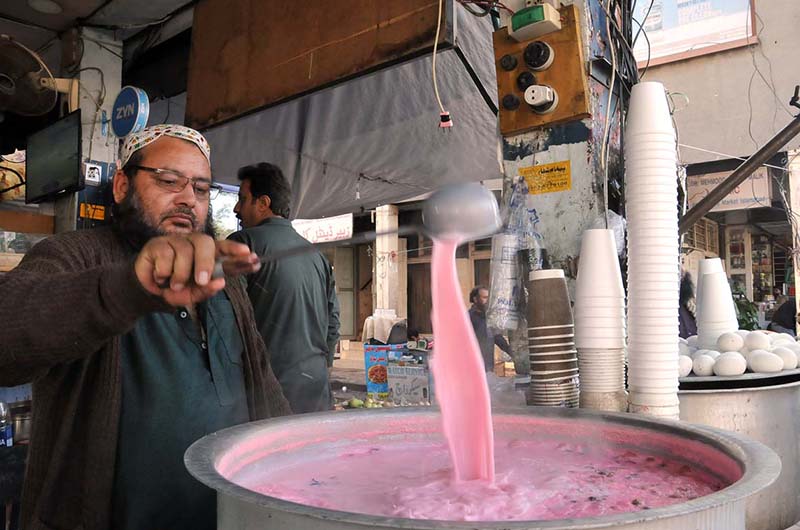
{"type": "Point", "coordinates": [249, 54]}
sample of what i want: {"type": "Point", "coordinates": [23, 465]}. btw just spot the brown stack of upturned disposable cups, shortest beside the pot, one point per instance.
{"type": "Point", "coordinates": [551, 341]}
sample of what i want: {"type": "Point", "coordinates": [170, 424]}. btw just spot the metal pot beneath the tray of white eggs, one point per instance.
{"type": "Point", "coordinates": [771, 415]}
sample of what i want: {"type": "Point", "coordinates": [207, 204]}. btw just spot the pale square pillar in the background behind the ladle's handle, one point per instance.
{"type": "Point", "coordinates": [387, 278]}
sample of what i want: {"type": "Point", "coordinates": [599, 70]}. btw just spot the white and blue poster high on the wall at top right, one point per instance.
{"type": "Point", "coordinates": [678, 29]}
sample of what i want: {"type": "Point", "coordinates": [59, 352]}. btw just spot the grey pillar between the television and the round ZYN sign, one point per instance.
{"type": "Point", "coordinates": [100, 51]}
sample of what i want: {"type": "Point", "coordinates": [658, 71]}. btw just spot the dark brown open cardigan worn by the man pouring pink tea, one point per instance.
{"type": "Point", "coordinates": [63, 310]}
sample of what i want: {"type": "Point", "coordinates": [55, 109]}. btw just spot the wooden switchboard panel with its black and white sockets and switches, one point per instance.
{"type": "Point", "coordinates": [541, 81]}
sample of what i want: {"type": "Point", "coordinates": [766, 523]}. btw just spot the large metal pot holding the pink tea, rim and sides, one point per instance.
{"type": "Point", "coordinates": [220, 455]}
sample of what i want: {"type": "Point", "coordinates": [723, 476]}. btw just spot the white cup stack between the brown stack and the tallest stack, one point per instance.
{"type": "Point", "coordinates": [600, 323]}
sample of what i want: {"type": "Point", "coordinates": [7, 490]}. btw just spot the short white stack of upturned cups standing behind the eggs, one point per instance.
{"type": "Point", "coordinates": [715, 313]}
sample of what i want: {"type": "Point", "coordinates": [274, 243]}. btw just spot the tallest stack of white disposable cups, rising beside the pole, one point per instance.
{"type": "Point", "coordinates": [653, 253]}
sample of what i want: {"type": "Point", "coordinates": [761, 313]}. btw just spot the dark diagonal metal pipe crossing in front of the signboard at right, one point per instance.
{"type": "Point", "coordinates": [766, 152]}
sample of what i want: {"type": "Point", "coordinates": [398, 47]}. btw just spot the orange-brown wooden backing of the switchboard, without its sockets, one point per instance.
{"type": "Point", "coordinates": [567, 75]}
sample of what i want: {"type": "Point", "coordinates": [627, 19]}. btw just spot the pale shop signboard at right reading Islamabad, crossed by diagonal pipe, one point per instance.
{"type": "Point", "coordinates": [754, 192]}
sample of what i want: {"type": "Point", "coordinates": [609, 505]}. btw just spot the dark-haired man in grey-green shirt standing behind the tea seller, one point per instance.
{"type": "Point", "coordinates": [294, 299]}
